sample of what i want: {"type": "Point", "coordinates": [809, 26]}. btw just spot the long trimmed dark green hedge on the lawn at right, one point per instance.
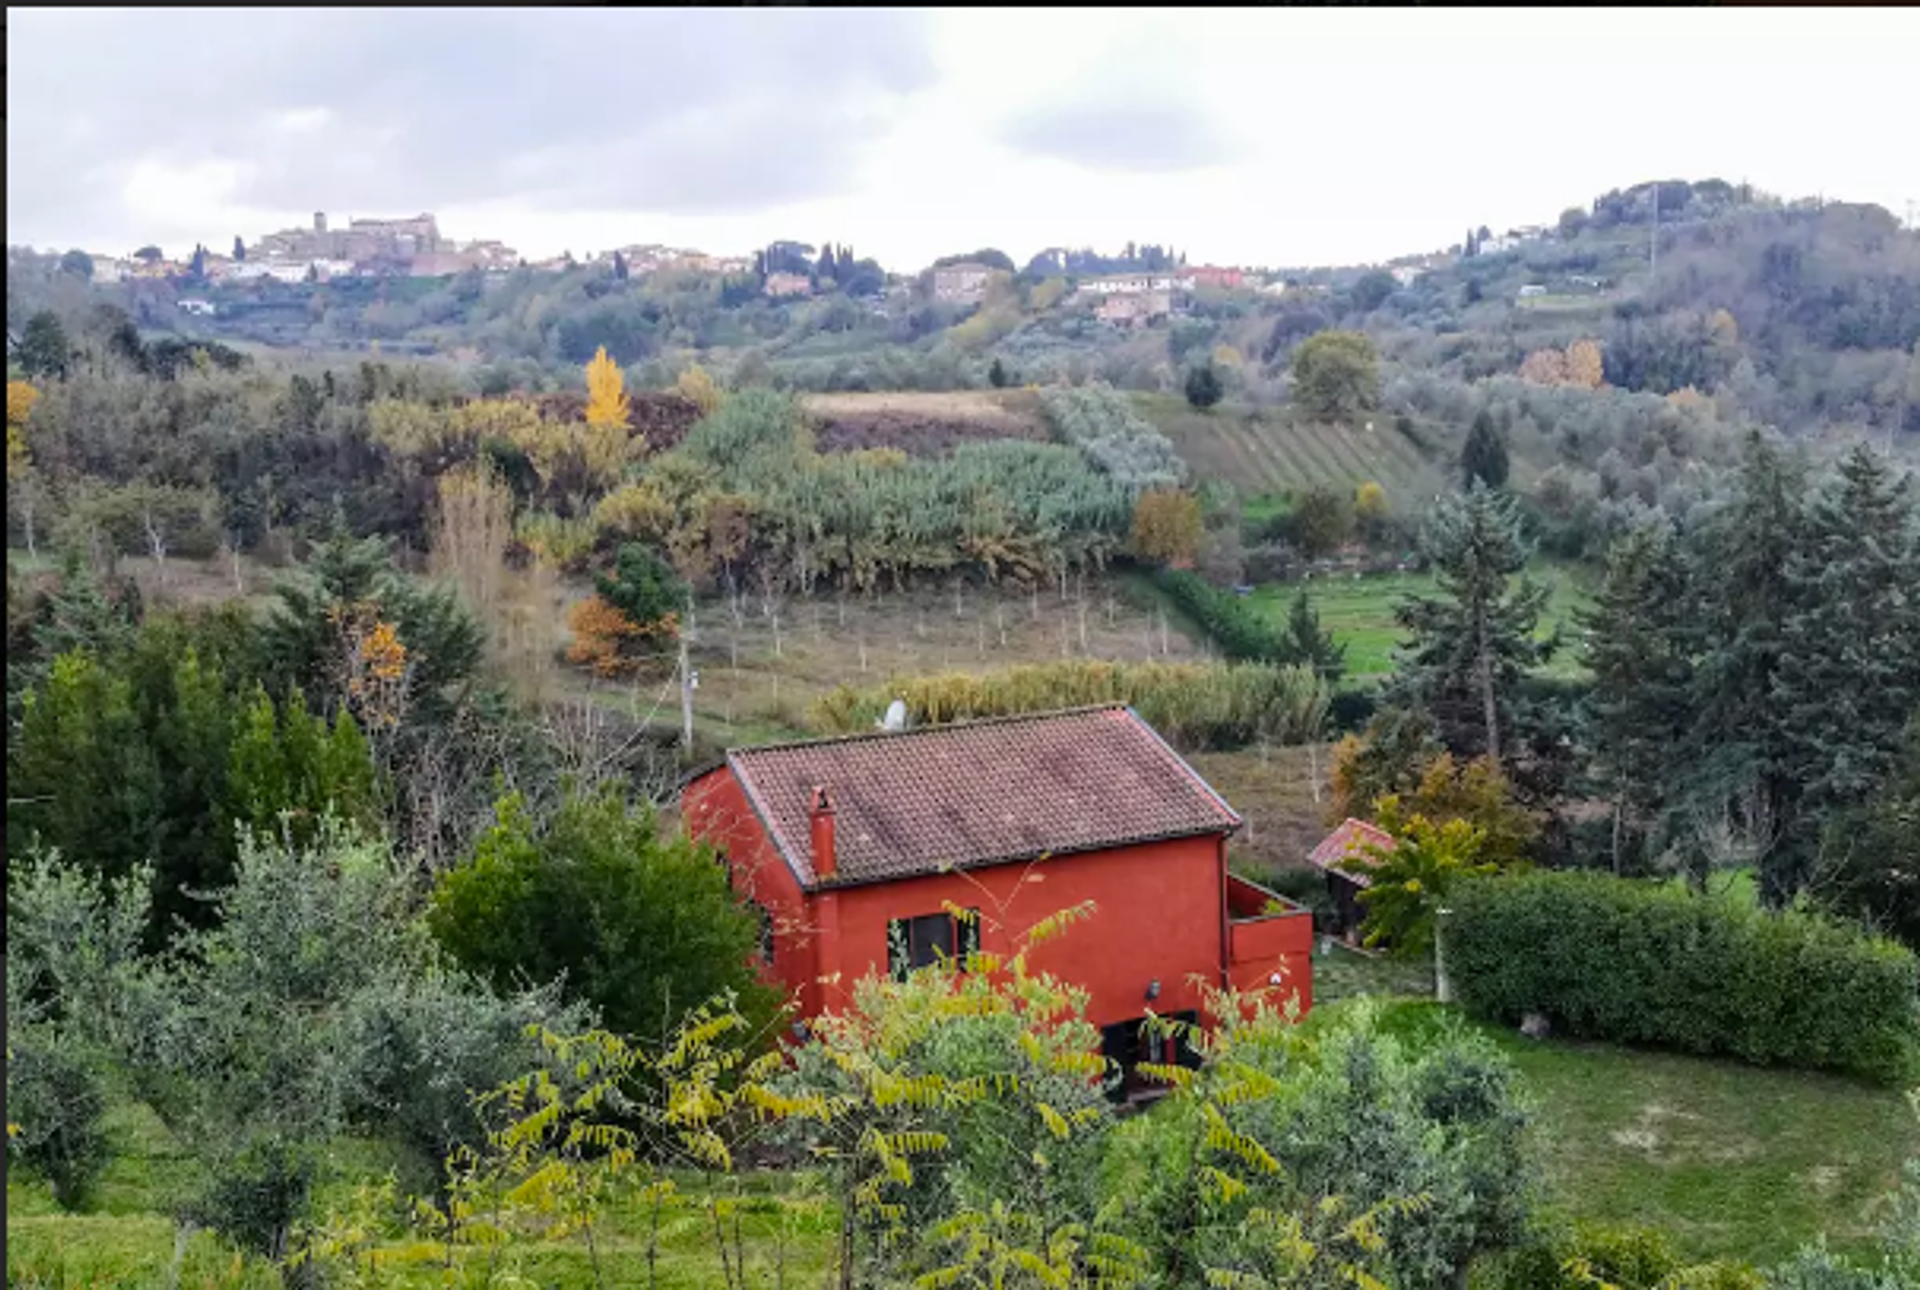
{"type": "Point", "coordinates": [1652, 965]}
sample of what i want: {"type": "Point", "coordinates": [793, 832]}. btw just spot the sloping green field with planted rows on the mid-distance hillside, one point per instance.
{"type": "Point", "coordinates": [1262, 450]}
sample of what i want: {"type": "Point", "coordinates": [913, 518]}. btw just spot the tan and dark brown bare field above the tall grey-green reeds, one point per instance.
{"type": "Point", "coordinates": [923, 425]}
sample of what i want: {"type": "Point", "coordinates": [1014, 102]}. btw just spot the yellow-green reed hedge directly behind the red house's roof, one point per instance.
{"type": "Point", "coordinates": [1191, 705]}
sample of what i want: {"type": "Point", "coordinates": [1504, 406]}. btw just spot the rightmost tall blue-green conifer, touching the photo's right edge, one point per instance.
{"type": "Point", "coordinates": [1850, 661]}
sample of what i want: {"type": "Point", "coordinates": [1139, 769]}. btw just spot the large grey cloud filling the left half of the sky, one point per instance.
{"type": "Point", "coordinates": [648, 110]}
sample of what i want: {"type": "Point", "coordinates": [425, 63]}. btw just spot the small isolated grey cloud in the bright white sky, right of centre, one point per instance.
{"type": "Point", "coordinates": [1143, 133]}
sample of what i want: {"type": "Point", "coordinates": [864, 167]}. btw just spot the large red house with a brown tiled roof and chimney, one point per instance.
{"type": "Point", "coordinates": [853, 846]}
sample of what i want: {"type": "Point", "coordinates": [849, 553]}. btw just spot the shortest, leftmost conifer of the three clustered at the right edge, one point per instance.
{"type": "Point", "coordinates": [1641, 650]}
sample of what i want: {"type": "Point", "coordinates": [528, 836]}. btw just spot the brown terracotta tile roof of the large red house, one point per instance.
{"type": "Point", "coordinates": [980, 794]}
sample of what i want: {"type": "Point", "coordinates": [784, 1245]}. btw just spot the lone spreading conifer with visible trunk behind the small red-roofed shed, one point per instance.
{"type": "Point", "coordinates": [1474, 642]}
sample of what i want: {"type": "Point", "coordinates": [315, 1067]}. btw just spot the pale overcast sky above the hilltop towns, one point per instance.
{"type": "Point", "coordinates": [1259, 137]}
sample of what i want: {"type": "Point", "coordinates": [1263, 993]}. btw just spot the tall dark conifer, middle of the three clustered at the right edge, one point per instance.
{"type": "Point", "coordinates": [1739, 765]}
